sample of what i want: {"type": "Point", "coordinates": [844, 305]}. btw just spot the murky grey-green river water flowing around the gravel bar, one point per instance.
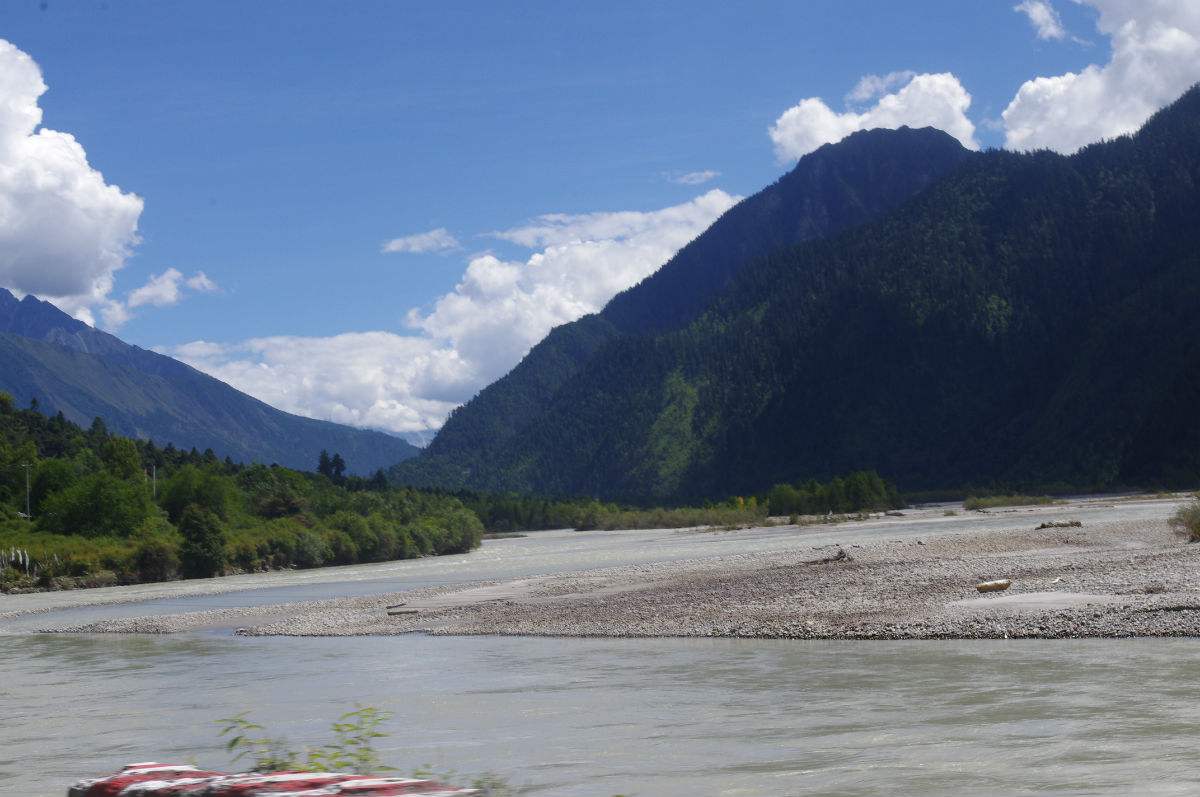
{"type": "Point", "coordinates": [629, 717]}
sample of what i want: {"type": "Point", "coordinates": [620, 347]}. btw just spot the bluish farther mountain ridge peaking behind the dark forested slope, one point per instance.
{"type": "Point", "coordinates": [833, 189]}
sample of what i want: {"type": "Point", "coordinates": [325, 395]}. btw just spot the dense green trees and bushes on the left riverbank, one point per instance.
{"type": "Point", "coordinates": [87, 508]}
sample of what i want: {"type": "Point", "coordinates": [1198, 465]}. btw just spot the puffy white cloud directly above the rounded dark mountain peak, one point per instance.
{"type": "Point", "coordinates": [923, 101]}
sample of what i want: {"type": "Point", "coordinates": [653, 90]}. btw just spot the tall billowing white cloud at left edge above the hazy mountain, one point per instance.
{"type": "Point", "coordinates": [64, 231]}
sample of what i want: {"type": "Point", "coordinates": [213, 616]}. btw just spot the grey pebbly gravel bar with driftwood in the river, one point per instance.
{"type": "Point", "coordinates": [1107, 578]}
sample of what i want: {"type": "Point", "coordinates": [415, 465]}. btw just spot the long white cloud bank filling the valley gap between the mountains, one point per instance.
{"type": "Point", "coordinates": [470, 337]}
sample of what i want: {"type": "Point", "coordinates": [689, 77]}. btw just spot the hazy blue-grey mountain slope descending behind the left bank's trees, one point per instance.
{"type": "Point", "coordinates": [71, 368]}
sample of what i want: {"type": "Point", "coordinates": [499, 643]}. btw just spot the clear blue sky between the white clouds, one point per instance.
{"type": "Point", "coordinates": [278, 147]}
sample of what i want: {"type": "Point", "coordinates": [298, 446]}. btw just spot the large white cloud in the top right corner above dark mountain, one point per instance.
{"type": "Point", "coordinates": [1155, 58]}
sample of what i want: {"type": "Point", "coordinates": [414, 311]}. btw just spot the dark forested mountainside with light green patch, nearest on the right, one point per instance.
{"type": "Point", "coordinates": [1027, 321]}
